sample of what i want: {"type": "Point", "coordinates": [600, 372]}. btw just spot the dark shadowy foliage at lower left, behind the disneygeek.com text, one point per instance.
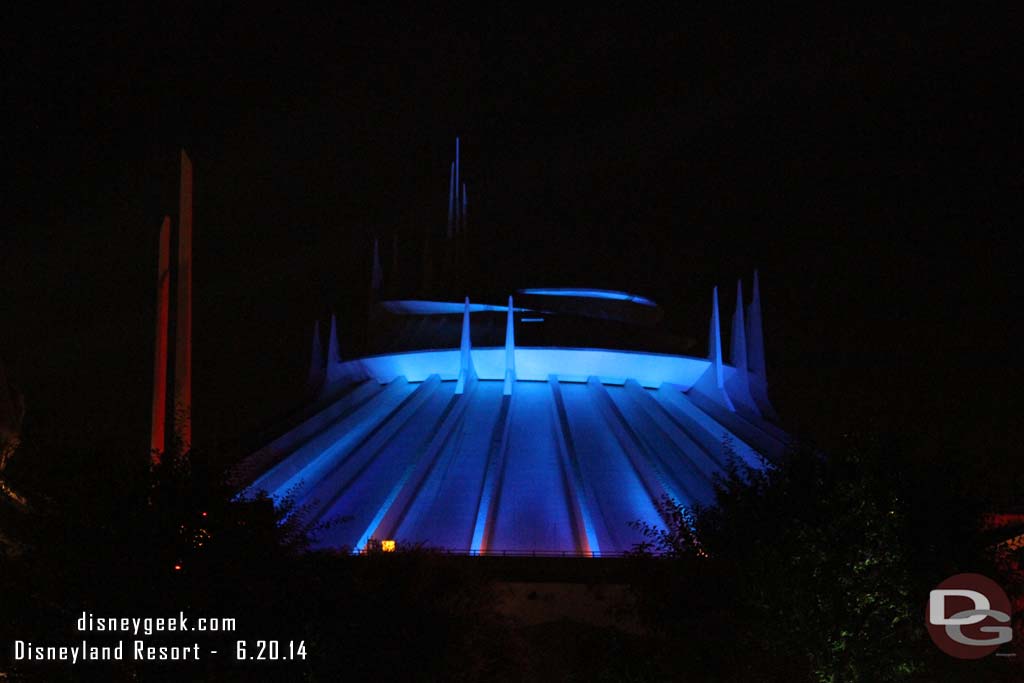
{"type": "Point", "coordinates": [114, 538]}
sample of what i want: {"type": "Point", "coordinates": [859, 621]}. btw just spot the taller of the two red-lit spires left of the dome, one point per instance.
{"type": "Point", "coordinates": [183, 340]}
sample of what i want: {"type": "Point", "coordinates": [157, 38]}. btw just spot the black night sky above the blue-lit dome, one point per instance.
{"type": "Point", "coordinates": [864, 163]}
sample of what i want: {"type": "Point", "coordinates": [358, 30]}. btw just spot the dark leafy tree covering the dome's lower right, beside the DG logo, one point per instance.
{"type": "Point", "coordinates": [806, 570]}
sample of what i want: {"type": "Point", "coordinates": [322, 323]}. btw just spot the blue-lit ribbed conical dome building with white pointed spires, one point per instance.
{"type": "Point", "coordinates": [542, 421]}
